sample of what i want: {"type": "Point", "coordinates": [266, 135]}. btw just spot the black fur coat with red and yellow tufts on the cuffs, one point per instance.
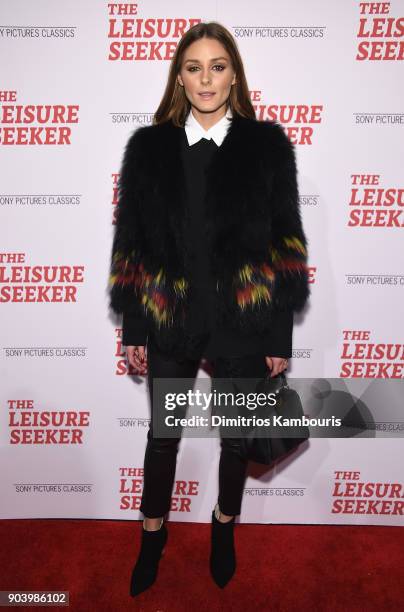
{"type": "Point", "coordinates": [258, 253]}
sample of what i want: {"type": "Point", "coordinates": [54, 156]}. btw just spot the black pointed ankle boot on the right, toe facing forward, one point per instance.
{"type": "Point", "coordinates": [222, 556]}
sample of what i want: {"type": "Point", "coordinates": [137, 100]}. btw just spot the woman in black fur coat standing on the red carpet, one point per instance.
{"type": "Point", "coordinates": [209, 259]}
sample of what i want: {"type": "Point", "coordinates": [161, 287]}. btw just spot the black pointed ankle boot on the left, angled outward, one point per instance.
{"type": "Point", "coordinates": [145, 571]}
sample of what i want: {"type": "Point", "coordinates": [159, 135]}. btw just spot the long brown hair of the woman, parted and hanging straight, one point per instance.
{"type": "Point", "coordinates": [174, 103]}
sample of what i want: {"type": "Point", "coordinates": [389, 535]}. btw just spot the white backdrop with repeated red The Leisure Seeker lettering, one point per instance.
{"type": "Point", "coordinates": [77, 79]}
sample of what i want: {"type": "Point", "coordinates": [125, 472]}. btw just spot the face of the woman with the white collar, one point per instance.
{"type": "Point", "coordinates": [206, 67]}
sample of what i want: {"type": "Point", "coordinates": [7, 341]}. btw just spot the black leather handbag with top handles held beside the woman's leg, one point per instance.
{"type": "Point", "coordinates": [269, 448]}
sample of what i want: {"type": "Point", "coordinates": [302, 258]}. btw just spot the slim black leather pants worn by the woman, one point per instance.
{"type": "Point", "coordinates": [161, 453]}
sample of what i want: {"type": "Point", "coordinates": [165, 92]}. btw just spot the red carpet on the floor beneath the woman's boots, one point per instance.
{"type": "Point", "coordinates": [280, 567]}
